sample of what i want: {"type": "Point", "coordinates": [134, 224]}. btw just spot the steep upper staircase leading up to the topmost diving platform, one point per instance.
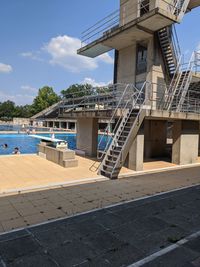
{"type": "Point", "coordinates": [170, 48]}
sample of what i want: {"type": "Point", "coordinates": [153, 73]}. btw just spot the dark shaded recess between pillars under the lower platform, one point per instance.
{"type": "Point", "coordinates": [155, 138]}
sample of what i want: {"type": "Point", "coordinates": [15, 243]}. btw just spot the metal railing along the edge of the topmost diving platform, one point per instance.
{"type": "Point", "coordinates": [126, 14]}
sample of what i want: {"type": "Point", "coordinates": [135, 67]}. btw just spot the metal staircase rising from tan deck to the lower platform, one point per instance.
{"type": "Point", "coordinates": [133, 114]}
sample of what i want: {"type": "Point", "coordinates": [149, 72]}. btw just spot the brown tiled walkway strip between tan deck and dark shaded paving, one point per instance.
{"type": "Point", "coordinates": [31, 208]}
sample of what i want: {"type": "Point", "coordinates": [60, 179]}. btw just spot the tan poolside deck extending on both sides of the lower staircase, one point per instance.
{"type": "Point", "coordinates": [22, 173]}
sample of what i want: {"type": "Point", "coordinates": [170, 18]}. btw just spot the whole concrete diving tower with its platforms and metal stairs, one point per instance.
{"type": "Point", "coordinates": [154, 91]}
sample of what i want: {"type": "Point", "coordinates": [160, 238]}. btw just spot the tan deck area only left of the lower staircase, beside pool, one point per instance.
{"type": "Point", "coordinates": [20, 172]}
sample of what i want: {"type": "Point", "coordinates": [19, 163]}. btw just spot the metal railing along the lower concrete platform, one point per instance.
{"type": "Point", "coordinates": [107, 98]}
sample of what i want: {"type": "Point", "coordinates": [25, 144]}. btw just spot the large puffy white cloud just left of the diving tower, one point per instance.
{"type": "Point", "coordinates": [63, 52]}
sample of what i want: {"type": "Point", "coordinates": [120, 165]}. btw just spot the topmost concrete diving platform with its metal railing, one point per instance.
{"type": "Point", "coordinates": [135, 20]}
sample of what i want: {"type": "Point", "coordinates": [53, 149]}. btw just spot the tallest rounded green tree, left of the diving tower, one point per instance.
{"type": "Point", "coordinates": [45, 98]}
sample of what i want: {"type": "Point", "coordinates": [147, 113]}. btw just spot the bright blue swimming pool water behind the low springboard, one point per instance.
{"type": "Point", "coordinates": [28, 144]}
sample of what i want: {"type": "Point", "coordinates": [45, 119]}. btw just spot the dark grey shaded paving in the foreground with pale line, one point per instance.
{"type": "Point", "coordinates": [150, 232]}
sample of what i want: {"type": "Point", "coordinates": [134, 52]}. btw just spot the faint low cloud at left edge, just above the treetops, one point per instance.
{"type": "Point", "coordinates": [19, 99]}
